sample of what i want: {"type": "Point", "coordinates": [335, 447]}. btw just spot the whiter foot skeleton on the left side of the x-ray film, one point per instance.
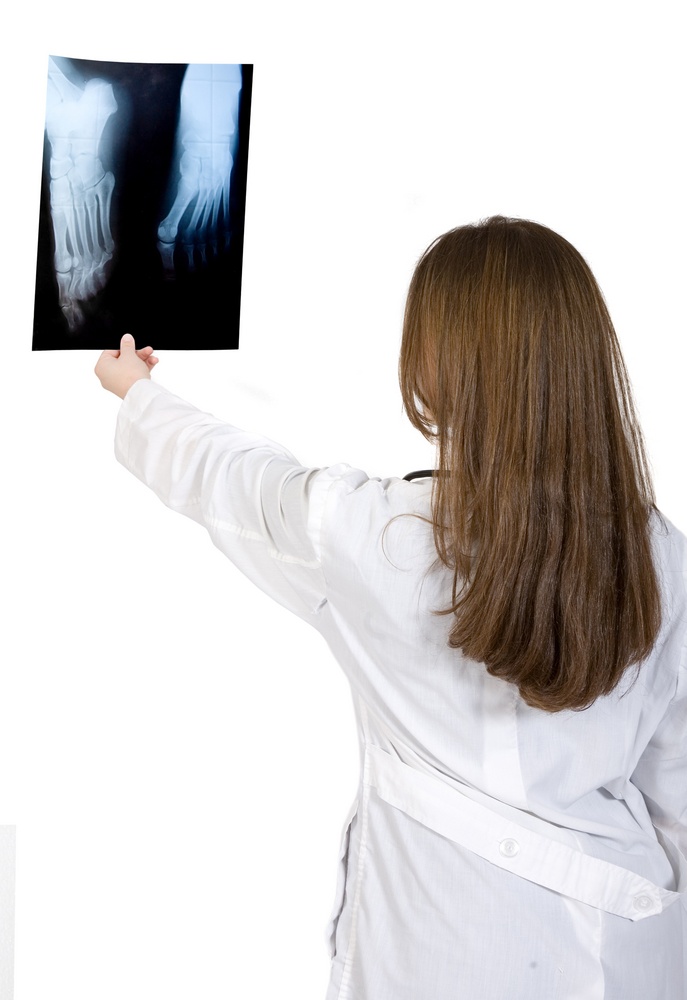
{"type": "Point", "coordinates": [80, 188]}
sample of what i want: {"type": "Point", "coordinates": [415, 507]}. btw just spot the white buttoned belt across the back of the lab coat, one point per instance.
{"type": "Point", "coordinates": [543, 859]}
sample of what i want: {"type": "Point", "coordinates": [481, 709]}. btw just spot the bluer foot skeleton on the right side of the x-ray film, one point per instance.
{"type": "Point", "coordinates": [207, 137]}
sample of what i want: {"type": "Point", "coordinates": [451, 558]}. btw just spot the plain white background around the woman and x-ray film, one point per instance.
{"type": "Point", "coordinates": [178, 754]}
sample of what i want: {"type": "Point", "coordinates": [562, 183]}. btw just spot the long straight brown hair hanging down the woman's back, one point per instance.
{"type": "Point", "coordinates": [541, 507]}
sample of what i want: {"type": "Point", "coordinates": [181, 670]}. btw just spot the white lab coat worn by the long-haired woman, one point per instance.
{"type": "Point", "coordinates": [495, 851]}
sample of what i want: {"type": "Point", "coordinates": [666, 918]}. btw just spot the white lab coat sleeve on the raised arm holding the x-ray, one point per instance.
{"type": "Point", "coordinates": [261, 508]}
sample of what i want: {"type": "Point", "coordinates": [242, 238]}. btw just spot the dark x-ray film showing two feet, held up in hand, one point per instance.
{"type": "Point", "coordinates": [142, 205]}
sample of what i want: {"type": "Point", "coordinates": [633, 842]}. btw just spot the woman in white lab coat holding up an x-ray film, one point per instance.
{"type": "Point", "coordinates": [514, 631]}
